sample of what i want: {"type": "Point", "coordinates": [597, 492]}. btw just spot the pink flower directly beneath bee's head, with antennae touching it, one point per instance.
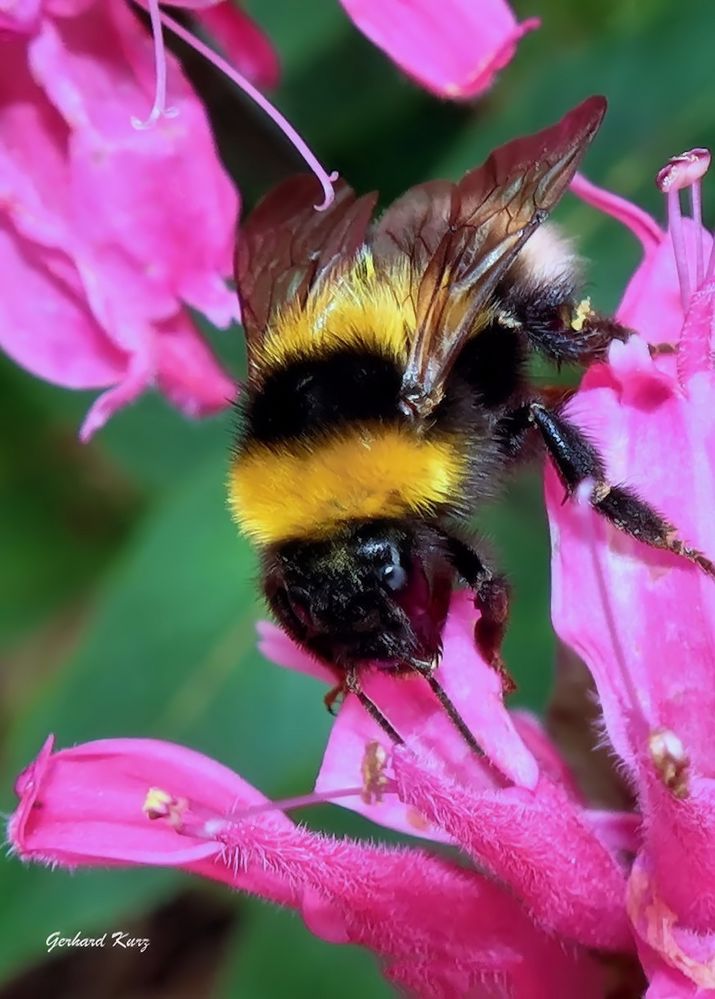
{"type": "Point", "coordinates": [516, 811]}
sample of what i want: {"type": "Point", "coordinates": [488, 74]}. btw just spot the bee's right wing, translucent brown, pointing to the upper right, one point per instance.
{"type": "Point", "coordinates": [460, 239]}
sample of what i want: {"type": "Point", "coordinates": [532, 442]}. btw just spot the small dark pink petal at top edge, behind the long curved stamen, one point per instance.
{"type": "Point", "coordinates": [245, 44]}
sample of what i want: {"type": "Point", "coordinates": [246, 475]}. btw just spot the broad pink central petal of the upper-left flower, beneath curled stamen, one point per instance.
{"type": "Point", "coordinates": [97, 69]}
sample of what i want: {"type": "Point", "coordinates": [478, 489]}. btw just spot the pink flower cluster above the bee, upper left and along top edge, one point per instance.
{"type": "Point", "coordinates": [111, 228]}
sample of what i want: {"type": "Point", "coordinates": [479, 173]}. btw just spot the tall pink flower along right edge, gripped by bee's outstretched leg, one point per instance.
{"type": "Point", "coordinates": [644, 621]}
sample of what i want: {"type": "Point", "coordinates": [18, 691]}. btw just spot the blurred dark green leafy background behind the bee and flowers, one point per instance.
{"type": "Point", "coordinates": [127, 603]}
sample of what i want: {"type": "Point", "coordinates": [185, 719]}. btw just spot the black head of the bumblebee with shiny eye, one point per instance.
{"type": "Point", "coordinates": [378, 591]}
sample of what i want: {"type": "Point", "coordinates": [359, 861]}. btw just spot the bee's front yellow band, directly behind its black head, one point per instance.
{"type": "Point", "coordinates": [307, 488]}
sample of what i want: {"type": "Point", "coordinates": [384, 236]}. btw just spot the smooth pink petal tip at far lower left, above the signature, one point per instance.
{"type": "Point", "coordinates": [85, 804]}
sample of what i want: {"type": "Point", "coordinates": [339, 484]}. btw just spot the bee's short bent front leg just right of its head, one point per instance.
{"type": "Point", "coordinates": [491, 598]}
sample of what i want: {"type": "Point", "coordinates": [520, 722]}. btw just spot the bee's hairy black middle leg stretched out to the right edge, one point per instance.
{"type": "Point", "coordinates": [578, 460]}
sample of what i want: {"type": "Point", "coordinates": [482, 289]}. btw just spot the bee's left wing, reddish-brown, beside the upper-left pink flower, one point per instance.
{"type": "Point", "coordinates": [285, 247]}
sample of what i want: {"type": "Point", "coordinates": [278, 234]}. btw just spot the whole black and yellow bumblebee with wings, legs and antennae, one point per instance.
{"type": "Point", "coordinates": [388, 394]}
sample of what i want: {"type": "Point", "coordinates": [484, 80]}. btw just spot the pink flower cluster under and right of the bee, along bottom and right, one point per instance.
{"type": "Point", "coordinates": [554, 881]}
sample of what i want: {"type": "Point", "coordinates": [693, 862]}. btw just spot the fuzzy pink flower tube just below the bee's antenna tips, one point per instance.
{"type": "Point", "coordinates": [535, 841]}
